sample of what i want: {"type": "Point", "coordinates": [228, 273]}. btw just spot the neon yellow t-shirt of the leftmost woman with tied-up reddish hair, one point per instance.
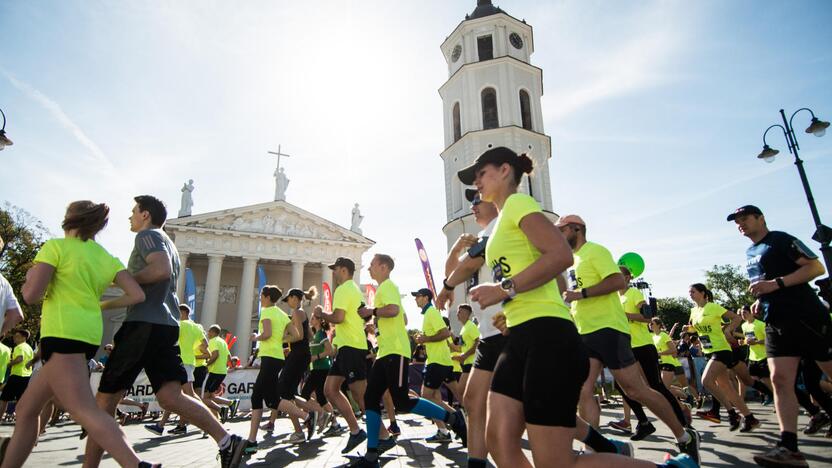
{"type": "Point", "coordinates": [72, 307]}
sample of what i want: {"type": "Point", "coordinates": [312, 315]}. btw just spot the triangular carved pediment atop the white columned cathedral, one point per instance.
{"type": "Point", "coordinates": [278, 218]}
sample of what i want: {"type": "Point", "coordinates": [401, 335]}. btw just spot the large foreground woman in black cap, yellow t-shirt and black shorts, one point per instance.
{"type": "Point", "coordinates": [530, 391]}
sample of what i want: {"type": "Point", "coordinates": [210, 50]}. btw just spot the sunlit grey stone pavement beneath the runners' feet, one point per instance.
{"type": "Point", "coordinates": [60, 445]}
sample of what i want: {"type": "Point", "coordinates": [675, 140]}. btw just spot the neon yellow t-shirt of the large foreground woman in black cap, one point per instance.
{"type": "Point", "coordinates": [509, 252]}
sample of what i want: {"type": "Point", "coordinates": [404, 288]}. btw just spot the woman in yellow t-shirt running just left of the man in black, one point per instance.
{"type": "Point", "coordinates": [707, 318]}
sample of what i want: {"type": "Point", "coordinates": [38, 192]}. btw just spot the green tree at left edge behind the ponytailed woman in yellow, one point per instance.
{"type": "Point", "coordinates": [23, 235]}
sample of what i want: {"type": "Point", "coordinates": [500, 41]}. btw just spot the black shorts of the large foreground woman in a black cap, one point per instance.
{"type": "Point", "coordinates": [543, 365]}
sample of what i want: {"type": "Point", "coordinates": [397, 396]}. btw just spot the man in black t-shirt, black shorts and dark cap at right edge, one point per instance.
{"type": "Point", "coordinates": [780, 268]}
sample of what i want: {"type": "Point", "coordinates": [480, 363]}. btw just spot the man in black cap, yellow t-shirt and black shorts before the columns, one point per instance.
{"type": "Point", "coordinates": [349, 366]}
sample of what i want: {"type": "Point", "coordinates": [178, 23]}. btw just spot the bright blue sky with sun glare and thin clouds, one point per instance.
{"type": "Point", "coordinates": [656, 112]}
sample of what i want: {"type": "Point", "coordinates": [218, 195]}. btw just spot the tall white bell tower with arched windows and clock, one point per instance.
{"type": "Point", "coordinates": [491, 98]}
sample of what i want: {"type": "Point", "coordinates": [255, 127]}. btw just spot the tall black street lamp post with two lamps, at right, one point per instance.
{"type": "Point", "coordinates": [823, 234]}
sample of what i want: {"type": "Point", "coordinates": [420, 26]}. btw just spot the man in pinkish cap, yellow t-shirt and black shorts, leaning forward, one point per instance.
{"type": "Point", "coordinates": [603, 326]}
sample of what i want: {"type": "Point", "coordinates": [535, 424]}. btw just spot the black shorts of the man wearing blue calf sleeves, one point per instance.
{"type": "Point", "coordinates": [389, 373]}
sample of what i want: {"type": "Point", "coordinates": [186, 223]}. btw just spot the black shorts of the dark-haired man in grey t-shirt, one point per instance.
{"type": "Point", "coordinates": [148, 346]}
